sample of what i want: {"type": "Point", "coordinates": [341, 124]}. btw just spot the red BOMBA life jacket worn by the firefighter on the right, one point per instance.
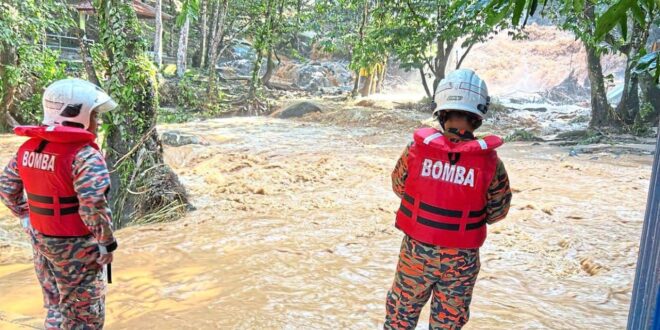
{"type": "Point", "coordinates": [446, 189]}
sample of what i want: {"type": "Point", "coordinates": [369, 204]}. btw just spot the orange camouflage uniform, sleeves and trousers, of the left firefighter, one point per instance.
{"type": "Point", "coordinates": [71, 280]}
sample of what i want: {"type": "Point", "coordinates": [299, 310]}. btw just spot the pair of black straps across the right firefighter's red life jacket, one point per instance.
{"type": "Point", "coordinates": [443, 213]}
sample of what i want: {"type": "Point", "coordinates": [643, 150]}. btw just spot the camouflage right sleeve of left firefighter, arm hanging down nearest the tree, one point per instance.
{"type": "Point", "coordinates": [91, 181]}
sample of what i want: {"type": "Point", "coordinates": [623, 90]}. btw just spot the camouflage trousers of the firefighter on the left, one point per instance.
{"type": "Point", "coordinates": [72, 282]}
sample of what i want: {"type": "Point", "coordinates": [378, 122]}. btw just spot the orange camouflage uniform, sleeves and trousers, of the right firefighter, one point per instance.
{"type": "Point", "coordinates": [447, 274]}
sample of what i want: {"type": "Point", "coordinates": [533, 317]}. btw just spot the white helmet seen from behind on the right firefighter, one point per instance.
{"type": "Point", "coordinates": [462, 90]}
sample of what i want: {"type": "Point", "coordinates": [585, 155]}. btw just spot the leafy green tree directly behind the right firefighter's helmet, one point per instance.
{"type": "Point", "coordinates": [424, 34]}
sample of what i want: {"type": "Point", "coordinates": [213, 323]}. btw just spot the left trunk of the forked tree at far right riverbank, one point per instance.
{"type": "Point", "coordinates": [601, 112]}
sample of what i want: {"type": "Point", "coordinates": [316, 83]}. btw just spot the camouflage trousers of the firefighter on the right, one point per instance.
{"type": "Point", "coordinates": [423, 271]}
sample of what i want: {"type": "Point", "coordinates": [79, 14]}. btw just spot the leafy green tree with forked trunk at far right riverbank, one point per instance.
{"type": "Point", "coordinates": [602, 25]}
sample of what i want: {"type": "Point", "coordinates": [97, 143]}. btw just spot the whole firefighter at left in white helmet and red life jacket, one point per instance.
{"type": "Point", "coordinates": [65, 179]}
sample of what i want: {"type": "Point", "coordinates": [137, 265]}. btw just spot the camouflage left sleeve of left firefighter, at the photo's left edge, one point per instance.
{"type": "Point", "coordinates": [11, 190]}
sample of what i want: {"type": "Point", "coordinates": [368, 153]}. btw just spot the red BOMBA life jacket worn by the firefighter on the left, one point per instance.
{"type": "Point", "coordinates": [45, 164]}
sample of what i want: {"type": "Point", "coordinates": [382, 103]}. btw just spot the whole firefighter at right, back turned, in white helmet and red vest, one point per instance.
{"type": "Point", "coordinates": [452, 186]}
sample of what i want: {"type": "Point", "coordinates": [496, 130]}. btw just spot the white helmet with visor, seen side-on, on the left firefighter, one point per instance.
{"type": "Point", "coordinates": [72, 101]}
